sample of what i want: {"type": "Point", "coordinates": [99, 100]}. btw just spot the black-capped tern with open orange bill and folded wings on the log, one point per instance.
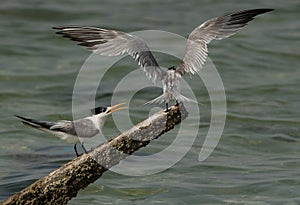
{"type": "Point", "coordinates": [69, 131]}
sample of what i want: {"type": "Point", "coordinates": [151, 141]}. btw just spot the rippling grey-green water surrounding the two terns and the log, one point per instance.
{"type": "Point", "coordinates": [257, 160]}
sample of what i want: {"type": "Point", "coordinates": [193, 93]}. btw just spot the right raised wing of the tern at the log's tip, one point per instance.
{"type": "Point", "coordinates": [216, 28]}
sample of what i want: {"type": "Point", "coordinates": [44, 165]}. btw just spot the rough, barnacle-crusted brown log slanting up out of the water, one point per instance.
{"type": "Point", "coordinates": [64, 183]}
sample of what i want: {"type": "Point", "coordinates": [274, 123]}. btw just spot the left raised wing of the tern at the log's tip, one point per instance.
{"type": "Point", "coordinates": [112, 43]}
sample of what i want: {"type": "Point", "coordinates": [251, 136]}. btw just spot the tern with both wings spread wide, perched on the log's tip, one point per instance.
{"type": "Point", "coordinates": [112, 43]}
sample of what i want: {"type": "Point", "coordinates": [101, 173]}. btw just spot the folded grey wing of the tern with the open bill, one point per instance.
{"type": "Point", "coordinates": [81, 127]}
